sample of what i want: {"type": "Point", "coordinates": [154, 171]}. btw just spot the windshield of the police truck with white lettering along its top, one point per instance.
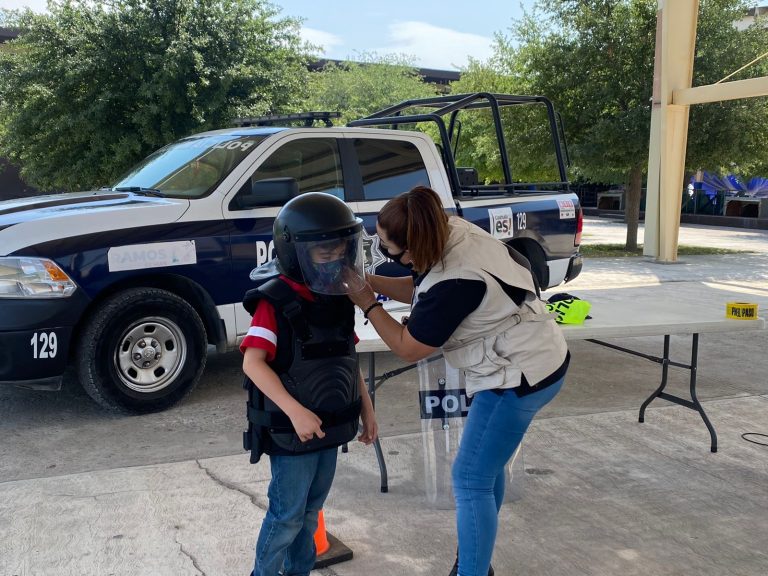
{"type": "Point", "coordinates": [189, 168]}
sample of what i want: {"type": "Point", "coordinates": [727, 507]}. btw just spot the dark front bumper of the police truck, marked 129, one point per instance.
{"type": "Point", "coordinates": [35, 339]}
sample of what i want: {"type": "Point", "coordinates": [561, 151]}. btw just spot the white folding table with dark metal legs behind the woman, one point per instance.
{"type": "Point", "coordinates": [611, 318]}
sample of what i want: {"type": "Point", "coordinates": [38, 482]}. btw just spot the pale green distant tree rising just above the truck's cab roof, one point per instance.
{"type": "Point", "coordinates": [356, 89]}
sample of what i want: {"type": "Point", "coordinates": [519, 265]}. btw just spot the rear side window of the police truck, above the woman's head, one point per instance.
{"type": "Point", "coordinates": [389, 167]}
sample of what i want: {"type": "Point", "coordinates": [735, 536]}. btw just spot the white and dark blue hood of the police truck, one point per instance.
{"type": "Point", "coordinates": [29, 221]}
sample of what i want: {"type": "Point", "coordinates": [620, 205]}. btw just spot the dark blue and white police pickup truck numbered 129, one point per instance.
{"type": "Point", "coordinates": [129, 285]}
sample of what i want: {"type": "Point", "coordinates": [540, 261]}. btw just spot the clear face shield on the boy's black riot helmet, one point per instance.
{"type": "Point", "coordinates": [333, 266]}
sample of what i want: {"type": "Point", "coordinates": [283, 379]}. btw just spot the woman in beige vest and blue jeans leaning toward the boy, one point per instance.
{"type": "Point", "coordinates": [471, 299]}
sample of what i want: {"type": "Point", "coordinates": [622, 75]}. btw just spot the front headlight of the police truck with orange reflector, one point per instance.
{"type": "Point", "coordinates": [23, 277]}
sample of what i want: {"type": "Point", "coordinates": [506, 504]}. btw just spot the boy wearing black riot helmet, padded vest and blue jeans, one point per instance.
{"type": "Point", "coordinates": [305, 389]}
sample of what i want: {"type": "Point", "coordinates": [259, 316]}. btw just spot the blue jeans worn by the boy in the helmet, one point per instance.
{"type": "Point", "coordinates": [296, 494]}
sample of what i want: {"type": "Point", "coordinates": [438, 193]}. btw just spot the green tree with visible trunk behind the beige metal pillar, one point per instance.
{"type": "Point", "coordinates": [594, 59]}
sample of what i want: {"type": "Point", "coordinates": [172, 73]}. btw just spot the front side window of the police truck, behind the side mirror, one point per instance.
{"type": "Point", "coordinates": [313, 162]}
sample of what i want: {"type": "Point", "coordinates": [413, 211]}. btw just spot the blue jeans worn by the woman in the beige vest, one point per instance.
{"type": "Point", "coordinates": [494, 429]}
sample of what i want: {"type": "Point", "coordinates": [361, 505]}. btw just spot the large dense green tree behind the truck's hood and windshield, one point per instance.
{"type": "Point", "coordinates": [91, 87]}
